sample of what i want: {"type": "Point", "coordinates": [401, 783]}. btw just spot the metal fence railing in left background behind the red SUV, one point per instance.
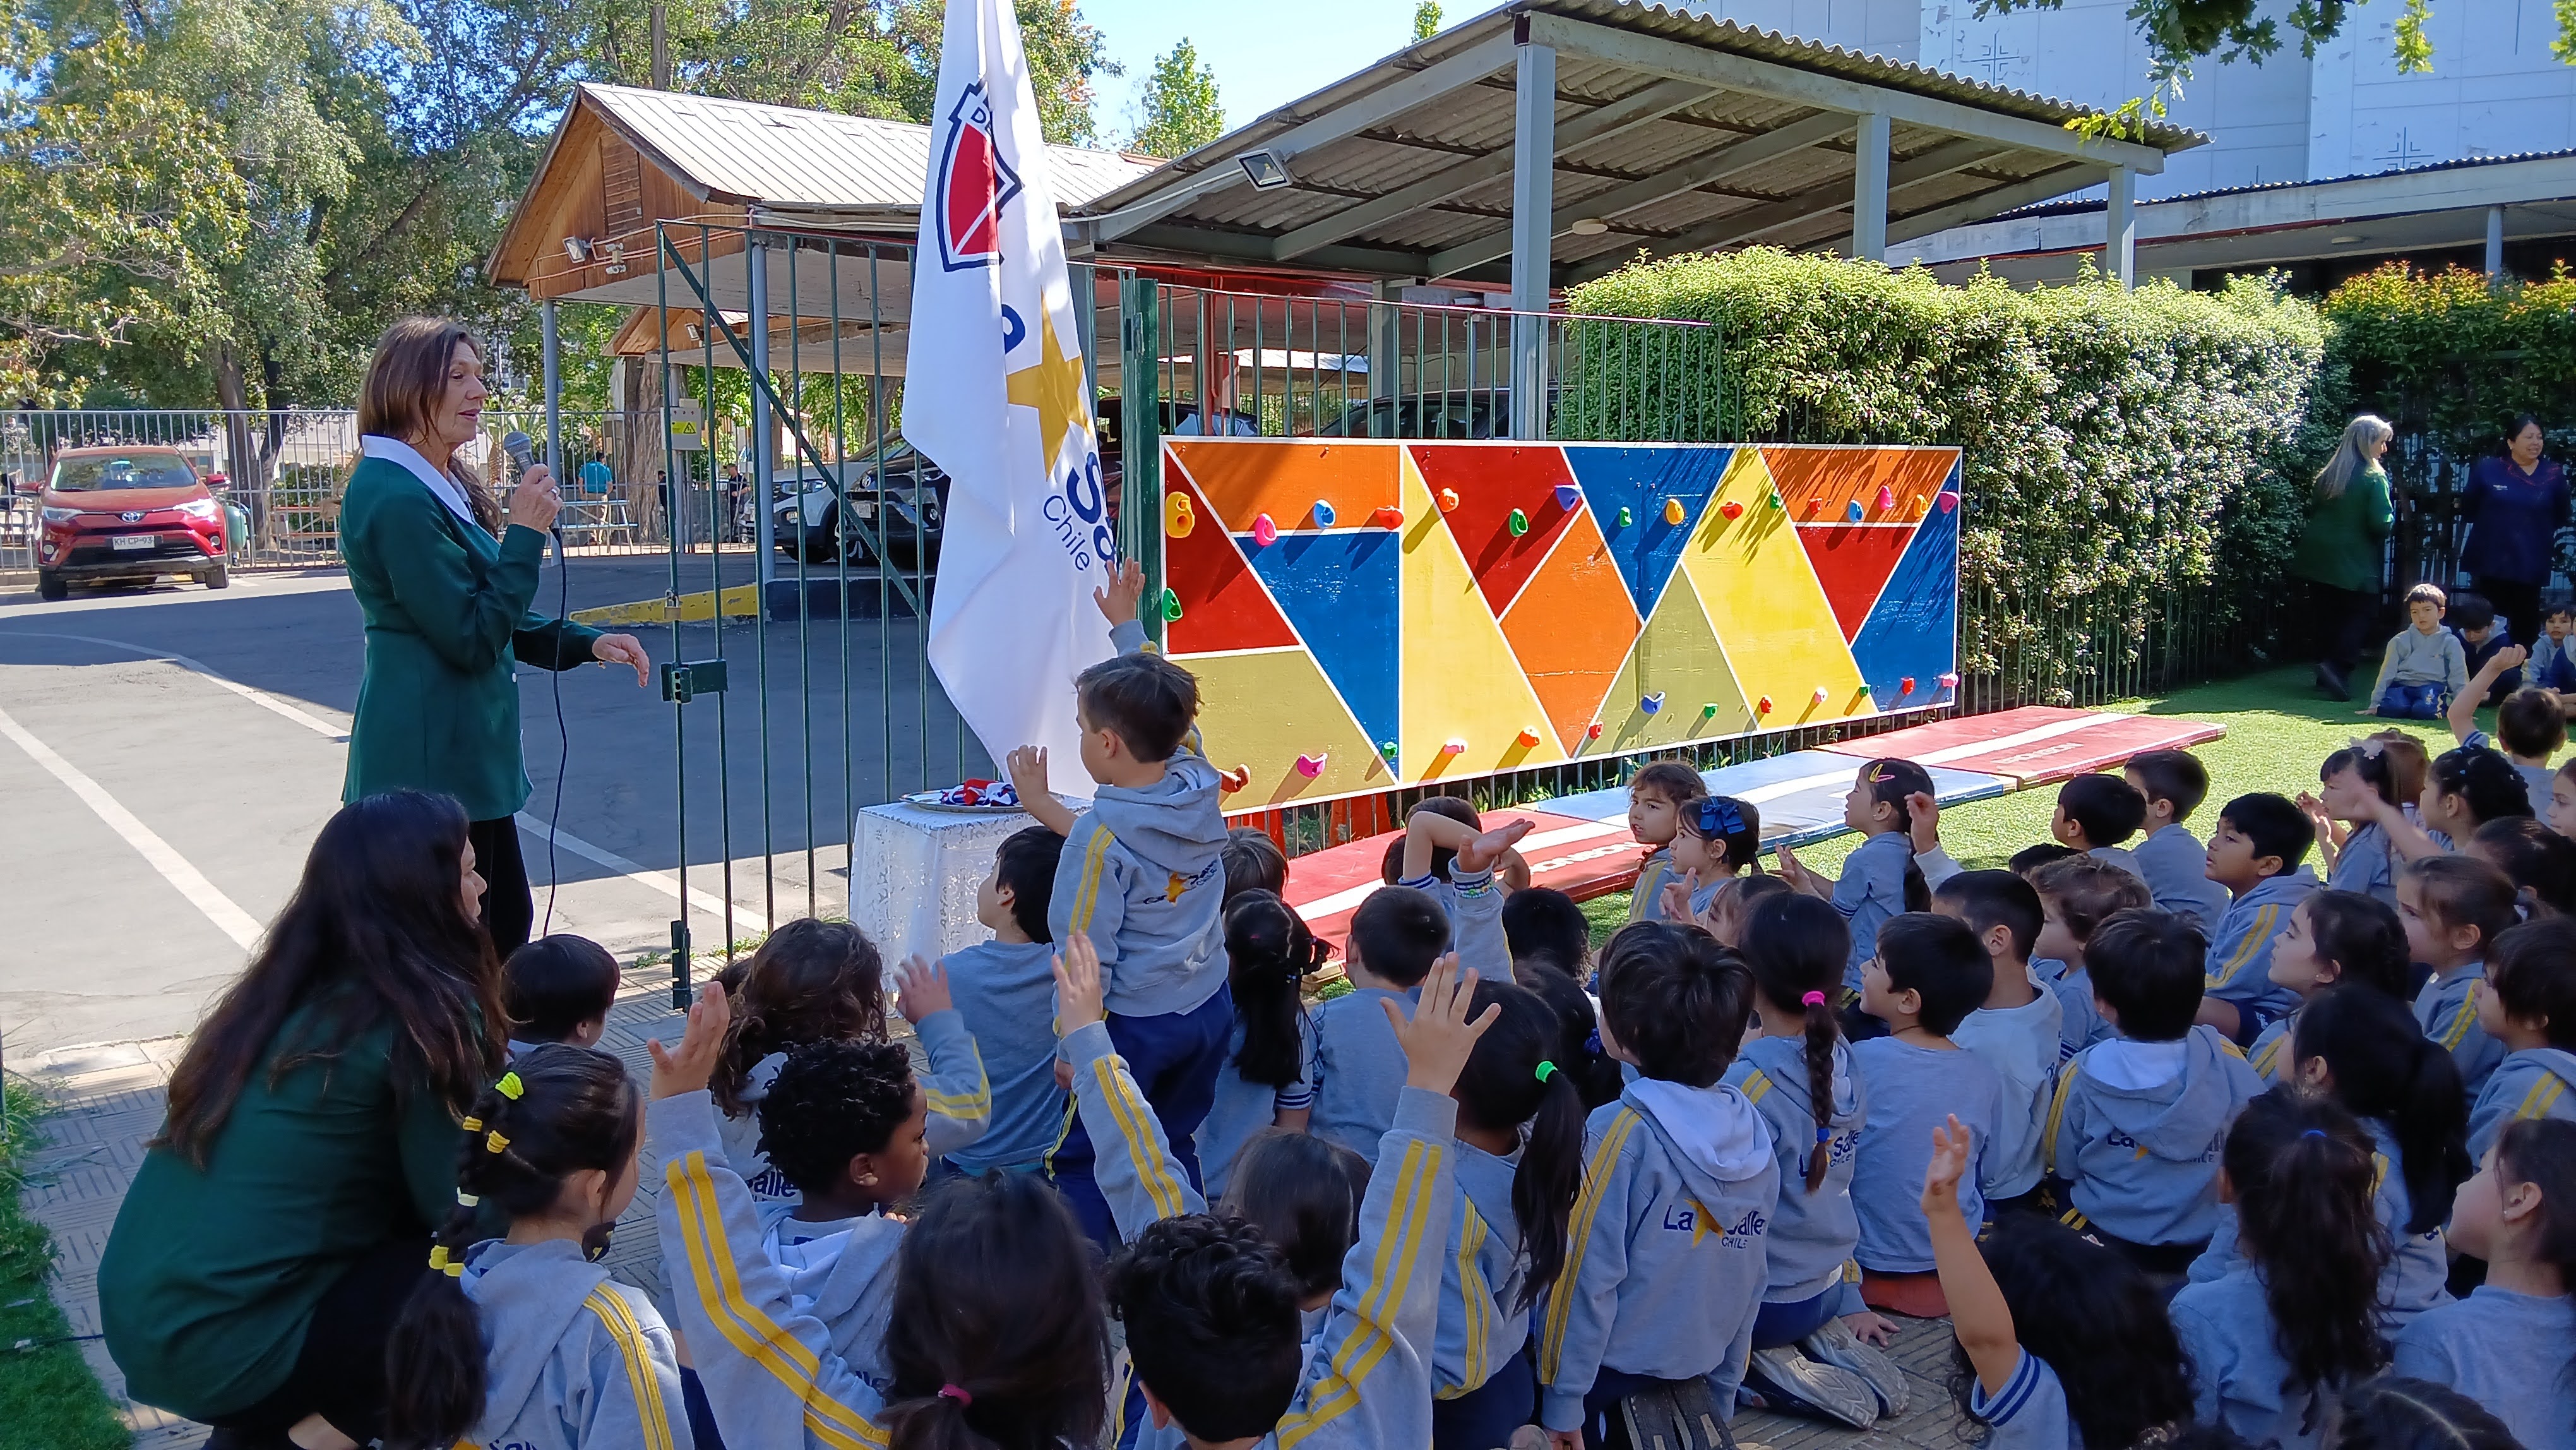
{"type": "Point", "coordinates": [287, 470]}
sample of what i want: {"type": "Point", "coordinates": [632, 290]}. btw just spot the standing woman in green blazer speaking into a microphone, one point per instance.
{"type": "Point", "coordinates": [444, 583]}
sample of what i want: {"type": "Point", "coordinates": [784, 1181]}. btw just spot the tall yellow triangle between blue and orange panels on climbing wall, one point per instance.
{"type": "Point", "coordinates": [1462, 679]}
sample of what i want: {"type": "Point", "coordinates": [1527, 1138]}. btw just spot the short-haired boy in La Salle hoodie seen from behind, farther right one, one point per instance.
{"type": "Point", "coordinates": [2139, 1122]}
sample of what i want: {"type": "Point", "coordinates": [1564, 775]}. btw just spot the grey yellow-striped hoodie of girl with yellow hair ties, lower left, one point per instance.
{"type": "Point", "coordinates": [573, 1361]}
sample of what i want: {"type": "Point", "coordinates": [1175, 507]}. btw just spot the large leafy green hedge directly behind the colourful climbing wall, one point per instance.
{"type": "Point", "coordinates": [2134, 460]}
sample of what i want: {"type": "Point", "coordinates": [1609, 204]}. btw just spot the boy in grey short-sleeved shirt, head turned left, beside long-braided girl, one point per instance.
{"type": "Point", "coordinates": [1923, 980]}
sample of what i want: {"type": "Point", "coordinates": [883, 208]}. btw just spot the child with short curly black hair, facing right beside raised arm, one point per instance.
{"type": "Point", "coordinates": [844, 1124]}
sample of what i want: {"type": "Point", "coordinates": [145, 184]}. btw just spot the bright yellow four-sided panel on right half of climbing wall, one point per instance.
{"type": "Point", "coordinates": [1768, 609]}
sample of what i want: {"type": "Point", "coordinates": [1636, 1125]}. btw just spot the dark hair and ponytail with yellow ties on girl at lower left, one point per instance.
{"type": "Point", "coordinates": [555, 1114]}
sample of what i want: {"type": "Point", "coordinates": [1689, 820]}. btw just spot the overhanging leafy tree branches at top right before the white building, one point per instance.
{"type": "Point", "coordinates": [2183, 32]}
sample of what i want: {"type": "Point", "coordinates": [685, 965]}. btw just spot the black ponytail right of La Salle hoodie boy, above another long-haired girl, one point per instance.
{"type": "Point", "coordinates": [2387, 1068]}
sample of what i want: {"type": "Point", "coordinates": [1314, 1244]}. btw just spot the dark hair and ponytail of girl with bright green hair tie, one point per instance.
{"type": "Point", "coordinates": [1513, 1083]}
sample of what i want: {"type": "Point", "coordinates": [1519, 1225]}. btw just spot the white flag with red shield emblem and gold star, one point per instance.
{"type": "Point", "coordinates": [996, 398]}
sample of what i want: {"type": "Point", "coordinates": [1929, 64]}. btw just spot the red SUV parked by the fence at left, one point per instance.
{"type": "Point", "coordinates": [128, 514]}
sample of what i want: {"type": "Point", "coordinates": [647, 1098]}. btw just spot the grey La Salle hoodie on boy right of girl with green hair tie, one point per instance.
{"type": "Point", "coordinates": [1665, 1266]}
